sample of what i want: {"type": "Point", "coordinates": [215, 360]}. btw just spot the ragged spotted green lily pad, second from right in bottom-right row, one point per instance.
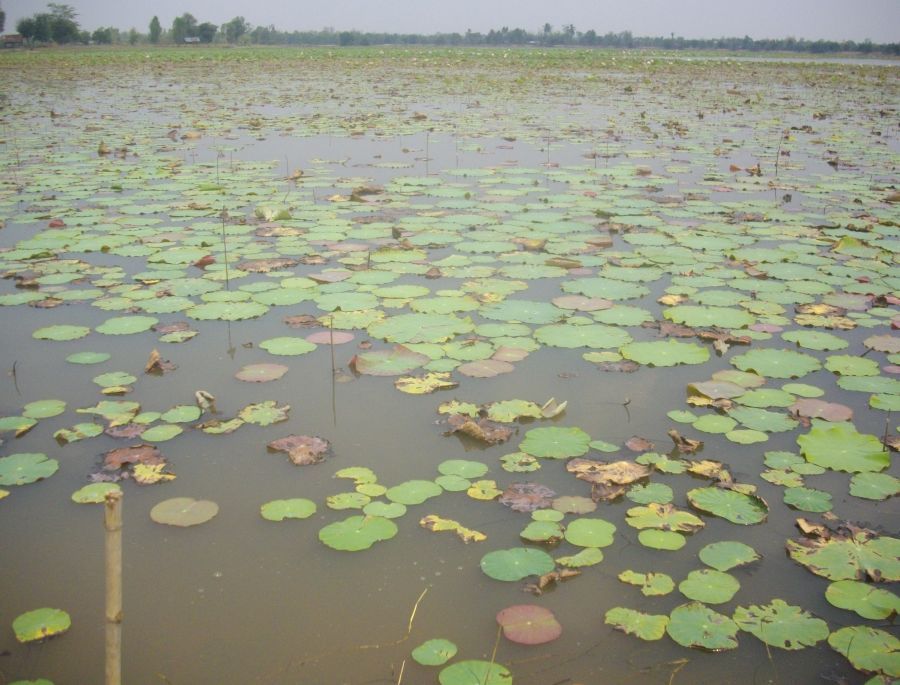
{"type": "Point", "coordinates": [781, 625]}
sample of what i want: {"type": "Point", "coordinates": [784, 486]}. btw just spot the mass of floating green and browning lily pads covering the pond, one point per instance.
{"type": "Point", "coordinates": [650, 246]}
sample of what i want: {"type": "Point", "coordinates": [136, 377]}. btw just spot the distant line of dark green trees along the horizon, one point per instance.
{"type": "Point", "coordinates": [59, 25]}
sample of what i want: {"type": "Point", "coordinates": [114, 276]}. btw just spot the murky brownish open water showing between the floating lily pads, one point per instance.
{"type": "Point", "coordinates": [244, 600]}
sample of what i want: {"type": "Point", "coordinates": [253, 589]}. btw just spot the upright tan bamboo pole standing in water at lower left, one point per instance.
{"type": "Point", "coordinates": [113, 520]}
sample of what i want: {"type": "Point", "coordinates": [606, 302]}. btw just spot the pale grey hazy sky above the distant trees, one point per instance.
{"type": "Point", "coordinates": [878, 20]}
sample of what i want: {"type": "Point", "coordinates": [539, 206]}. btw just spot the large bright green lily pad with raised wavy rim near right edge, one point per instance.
{"type": "Point", "coordinates": [839, 446]}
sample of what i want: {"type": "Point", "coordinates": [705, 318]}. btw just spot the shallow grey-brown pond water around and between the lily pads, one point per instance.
{"type": "Point", "coordinates": [244, 600]}
